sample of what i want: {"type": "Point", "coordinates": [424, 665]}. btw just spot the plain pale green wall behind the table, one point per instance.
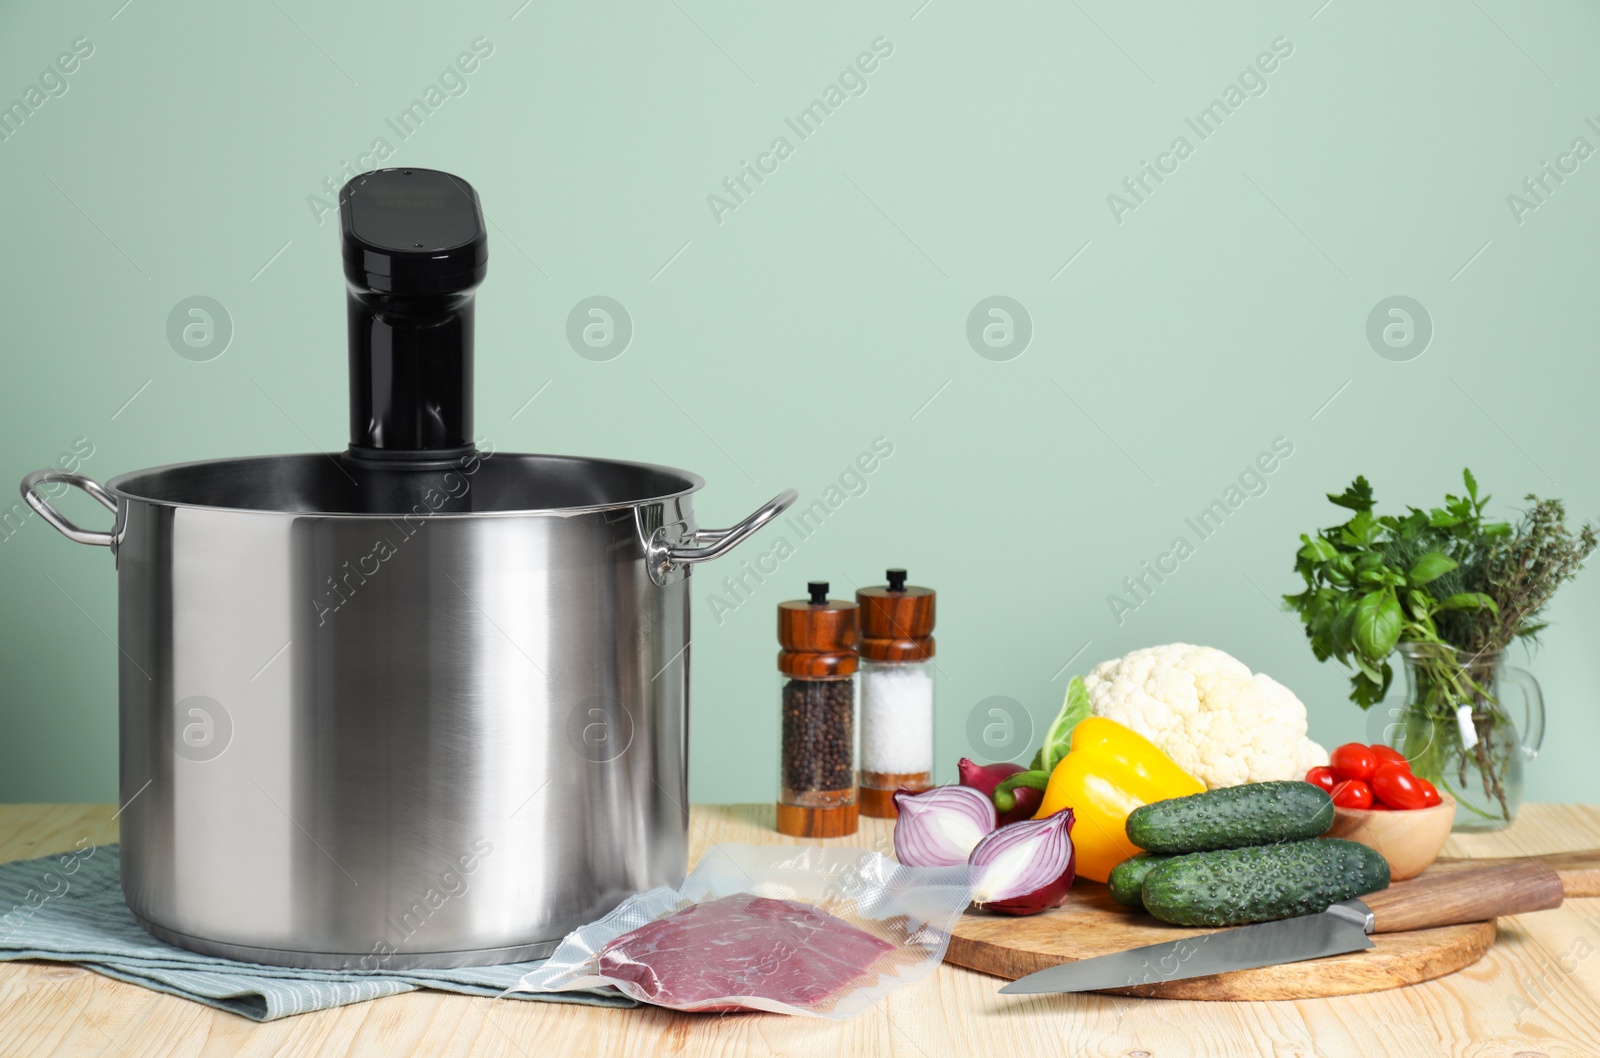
{"type": "Point", "coordinates": [831, 307]}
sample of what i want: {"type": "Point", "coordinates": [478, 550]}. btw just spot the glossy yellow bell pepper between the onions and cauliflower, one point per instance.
{"type": "Point", "coordinates": [1108, 772]}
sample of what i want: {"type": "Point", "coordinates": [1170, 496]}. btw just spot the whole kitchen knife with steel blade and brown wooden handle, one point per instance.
{"type": "Point", "coordinates": [1420, 904]}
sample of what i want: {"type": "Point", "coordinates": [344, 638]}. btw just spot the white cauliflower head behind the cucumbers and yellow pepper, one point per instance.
{"type": "Point", "coordinates": [1209, 713]}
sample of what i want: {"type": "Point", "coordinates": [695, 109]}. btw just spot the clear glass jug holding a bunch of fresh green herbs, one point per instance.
{"type": "Point", "coordinates": [1449, 590]}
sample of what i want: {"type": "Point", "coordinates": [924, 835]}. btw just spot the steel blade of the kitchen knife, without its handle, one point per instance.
{"type": "Point", "coordinates": [1334, 932]}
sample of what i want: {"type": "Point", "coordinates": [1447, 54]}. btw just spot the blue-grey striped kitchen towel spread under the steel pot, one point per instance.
{"type": "Point", "coordinates": [70, 908]}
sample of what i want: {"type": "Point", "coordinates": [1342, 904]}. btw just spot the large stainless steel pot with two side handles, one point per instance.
{"type": "Point", "coordinates": [426, 711]}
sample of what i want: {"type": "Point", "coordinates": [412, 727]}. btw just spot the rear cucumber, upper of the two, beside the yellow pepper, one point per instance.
{"type": "Point", "coordinates": [1257, 814]}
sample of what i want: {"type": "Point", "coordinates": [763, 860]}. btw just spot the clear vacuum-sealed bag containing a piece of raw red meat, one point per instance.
{"type": "Point", "coordinates": [818, 932]}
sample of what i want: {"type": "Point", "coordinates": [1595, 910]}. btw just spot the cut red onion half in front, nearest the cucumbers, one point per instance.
{"type": "Point", "coordinates": [1028, 867]}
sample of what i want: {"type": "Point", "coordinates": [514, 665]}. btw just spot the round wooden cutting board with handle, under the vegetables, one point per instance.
{"type": "Point", "coordinates": [1094, 924]}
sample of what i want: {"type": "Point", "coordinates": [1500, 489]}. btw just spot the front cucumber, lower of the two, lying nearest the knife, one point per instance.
{"type": "Point", "coordinates": [1262, 883]}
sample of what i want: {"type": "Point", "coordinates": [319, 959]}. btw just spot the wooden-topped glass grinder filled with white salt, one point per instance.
{"type": "Point", "coordinates": [897, 692]}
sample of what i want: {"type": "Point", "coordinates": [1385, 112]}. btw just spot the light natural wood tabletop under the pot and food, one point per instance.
{"type": "Point", "coordinates": [1537, 995]}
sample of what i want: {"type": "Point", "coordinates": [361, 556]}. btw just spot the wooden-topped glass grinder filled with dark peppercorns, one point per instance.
{"type": "Point", "coordinates": [818, 697]}
